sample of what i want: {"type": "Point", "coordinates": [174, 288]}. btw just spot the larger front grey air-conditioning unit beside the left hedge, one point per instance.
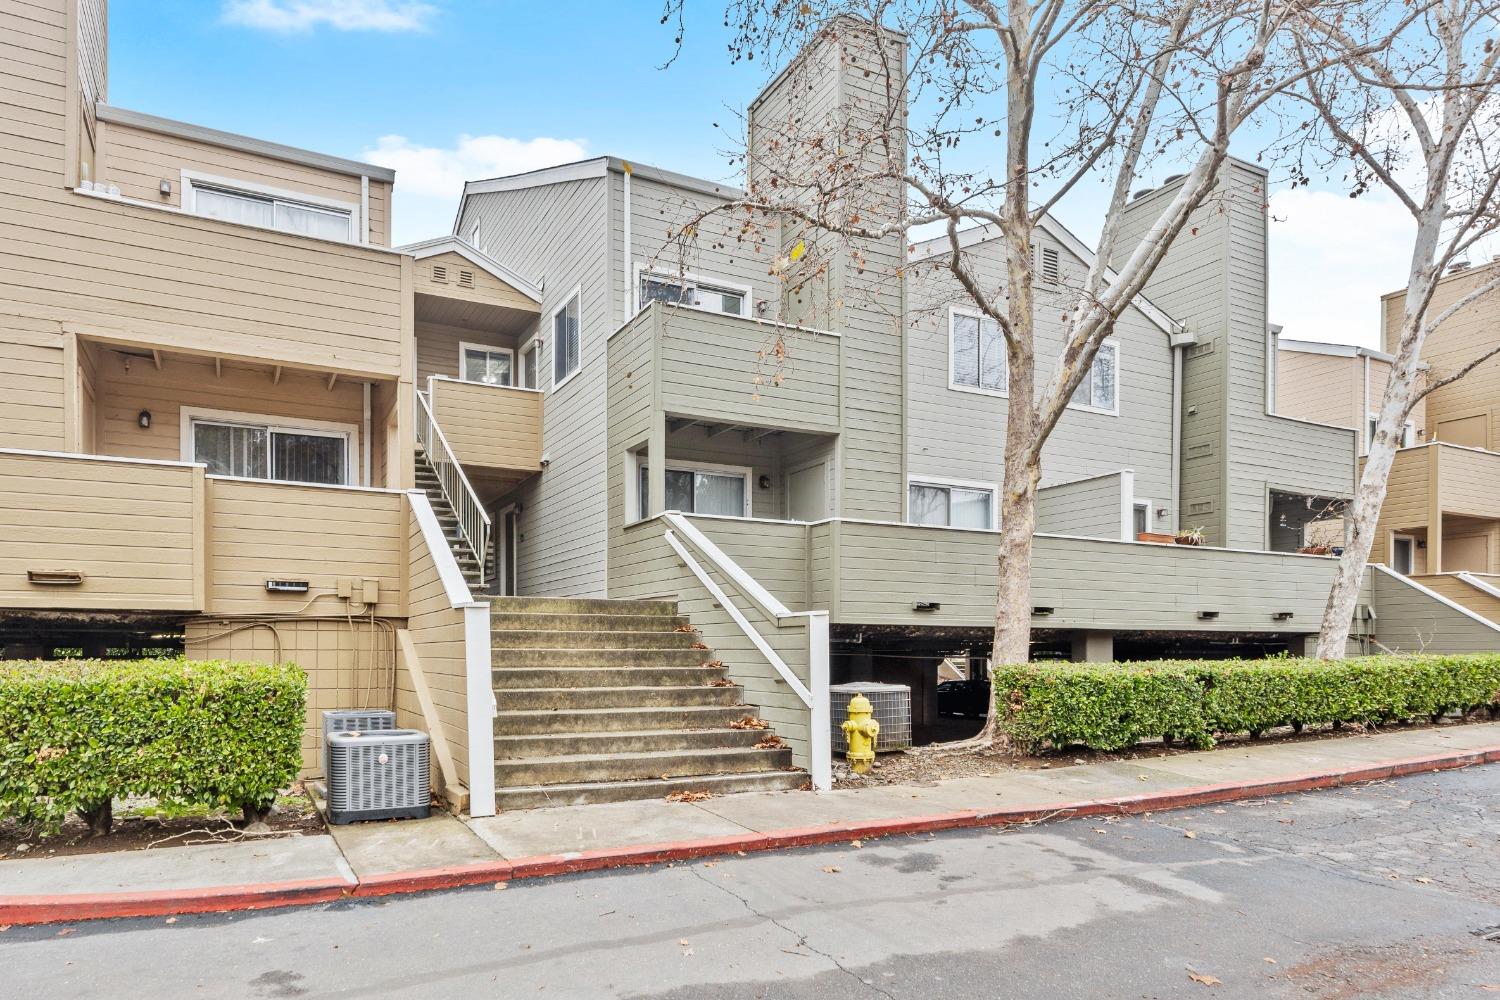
{"type": "Point", "coordinates": [379, 776]}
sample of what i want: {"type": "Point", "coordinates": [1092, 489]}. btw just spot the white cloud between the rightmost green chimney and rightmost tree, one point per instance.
{"type": "Point", "coordinates": [1333, 257]}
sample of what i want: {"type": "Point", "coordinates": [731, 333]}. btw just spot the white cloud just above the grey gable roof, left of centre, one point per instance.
{"type": "Point", "coordinates": [430, 179]}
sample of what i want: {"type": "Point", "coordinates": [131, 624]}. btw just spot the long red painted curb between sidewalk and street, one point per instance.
{"type": "Point", "coordinates": [68, 908]}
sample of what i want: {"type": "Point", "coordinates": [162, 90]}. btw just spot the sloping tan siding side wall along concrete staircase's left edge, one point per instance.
{"type": "Point", "coordinates": [437, 632]}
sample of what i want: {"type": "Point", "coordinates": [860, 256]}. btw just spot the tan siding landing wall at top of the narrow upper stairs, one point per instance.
{"type": "Point", "coordinates": [490, 427]}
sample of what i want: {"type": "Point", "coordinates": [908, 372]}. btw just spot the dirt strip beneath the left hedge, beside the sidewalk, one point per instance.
{"type": "Point", "coordinates": [143, 825]}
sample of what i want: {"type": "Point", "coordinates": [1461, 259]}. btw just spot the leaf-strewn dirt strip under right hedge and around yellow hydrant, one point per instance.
{"type": "Point", "coordinates": [940, 762]}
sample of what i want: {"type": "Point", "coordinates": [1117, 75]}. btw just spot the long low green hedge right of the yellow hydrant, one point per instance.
{"type": "Point", "coordinates": [1117, 705]}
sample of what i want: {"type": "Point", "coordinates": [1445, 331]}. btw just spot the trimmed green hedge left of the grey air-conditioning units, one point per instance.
{"type": "Point", "coordinates": [77, 734]}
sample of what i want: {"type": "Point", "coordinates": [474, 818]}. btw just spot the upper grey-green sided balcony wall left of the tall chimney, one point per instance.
{"type": "Point", "coordinates": [727, 371]}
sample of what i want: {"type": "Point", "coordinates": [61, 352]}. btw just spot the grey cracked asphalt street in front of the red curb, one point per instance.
{"type": "Point", "coordinates": [1390, 890]}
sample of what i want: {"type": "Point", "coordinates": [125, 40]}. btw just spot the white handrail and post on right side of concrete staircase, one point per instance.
{"type": "Point", "coordinates": [815, 693]}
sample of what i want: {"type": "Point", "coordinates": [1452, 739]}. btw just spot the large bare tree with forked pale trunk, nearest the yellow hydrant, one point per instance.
{"type": "Point", "coordinates": [1045, 97]}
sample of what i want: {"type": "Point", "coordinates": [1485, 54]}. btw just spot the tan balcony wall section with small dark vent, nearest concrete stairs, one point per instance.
{"type": "Point", "coordinates": [277, 531]}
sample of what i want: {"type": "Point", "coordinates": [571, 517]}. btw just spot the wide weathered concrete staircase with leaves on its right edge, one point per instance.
{"type": "Point", "coordinates": [611, 701]}
